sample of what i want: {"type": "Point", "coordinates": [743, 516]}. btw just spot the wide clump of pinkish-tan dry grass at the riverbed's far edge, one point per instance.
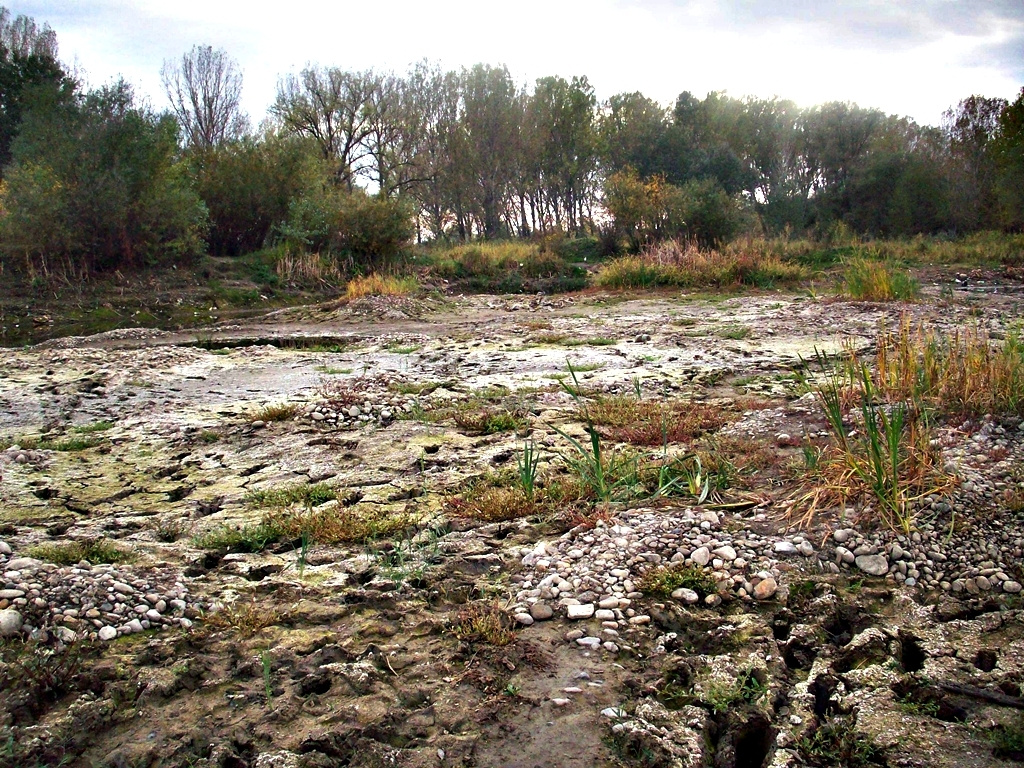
{"type": "Point", "coordinates": [679, 265]}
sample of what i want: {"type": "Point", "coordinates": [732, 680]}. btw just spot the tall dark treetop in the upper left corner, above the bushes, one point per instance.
{"type": "Point", "coordinates": [28, 65]}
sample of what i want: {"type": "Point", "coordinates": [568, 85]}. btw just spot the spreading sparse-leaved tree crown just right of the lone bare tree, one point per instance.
{"type": "Point", "coordinates": [333, 108]}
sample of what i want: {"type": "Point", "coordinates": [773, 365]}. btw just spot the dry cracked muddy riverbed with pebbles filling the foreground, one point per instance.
{"type": "Point", "coordinates": [431, 637]}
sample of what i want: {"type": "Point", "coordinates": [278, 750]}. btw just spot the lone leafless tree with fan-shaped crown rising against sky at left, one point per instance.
{"type": "Point", "coordinates": [205, 92]}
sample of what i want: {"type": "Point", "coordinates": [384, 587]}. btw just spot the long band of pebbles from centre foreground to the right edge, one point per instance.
{"type": "Point", "coordinates": [957, 547]}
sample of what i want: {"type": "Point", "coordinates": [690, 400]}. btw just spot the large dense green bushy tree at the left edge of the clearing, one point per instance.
{"type": "Point", "coordinates": [95, 186]}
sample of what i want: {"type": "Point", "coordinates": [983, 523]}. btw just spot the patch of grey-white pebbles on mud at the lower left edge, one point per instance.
{"type": "Point", "coordinates": [40, 601]}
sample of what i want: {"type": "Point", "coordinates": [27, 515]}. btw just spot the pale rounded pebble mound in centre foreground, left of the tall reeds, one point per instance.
{"type": "Point", "coordinates": [596, 573]}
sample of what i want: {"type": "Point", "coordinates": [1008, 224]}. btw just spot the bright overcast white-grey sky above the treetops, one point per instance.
{"type": "Point", "coordinates": [915, 58]}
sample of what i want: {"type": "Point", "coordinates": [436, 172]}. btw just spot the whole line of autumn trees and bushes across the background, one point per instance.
{"type": "Point", "coordinates": [356, 163]}
